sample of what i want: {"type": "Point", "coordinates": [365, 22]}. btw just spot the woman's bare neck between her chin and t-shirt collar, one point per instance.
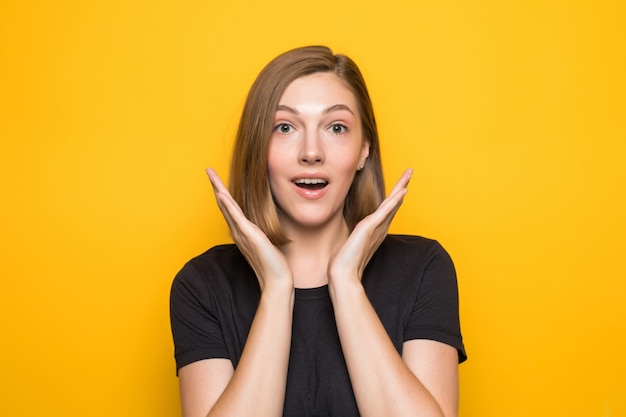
{"type": "Point", "coordinates": [309, 251]}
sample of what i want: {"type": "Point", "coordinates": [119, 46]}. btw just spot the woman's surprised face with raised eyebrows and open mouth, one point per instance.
{"type": "Point", "coordinates": [315, 151]}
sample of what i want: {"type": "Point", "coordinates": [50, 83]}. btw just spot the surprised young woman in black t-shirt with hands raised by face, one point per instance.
{"type": "Point", "coordinates": [315, 310]}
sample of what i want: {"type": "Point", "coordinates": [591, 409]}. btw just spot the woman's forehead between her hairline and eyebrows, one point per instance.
{"type": "Point", "coordinates": [322, 88]}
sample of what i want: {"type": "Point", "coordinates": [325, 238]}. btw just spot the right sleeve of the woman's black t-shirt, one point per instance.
{"type": "Point", "coordinates": [435, 314]}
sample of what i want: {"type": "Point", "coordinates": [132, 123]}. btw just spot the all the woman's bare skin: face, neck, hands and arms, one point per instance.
{"type": "Point", "coordinates": [421, 382]}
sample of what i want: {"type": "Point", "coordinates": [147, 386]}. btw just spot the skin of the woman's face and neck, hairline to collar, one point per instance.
{"type": "Point", "coordinates": [317, 135]}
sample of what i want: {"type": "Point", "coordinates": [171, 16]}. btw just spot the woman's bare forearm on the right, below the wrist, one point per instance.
{"type": "Point", "coordinates": [382, 382]}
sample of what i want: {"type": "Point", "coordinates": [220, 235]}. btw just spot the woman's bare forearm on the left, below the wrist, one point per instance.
{"type": "Point", "coordinates": [257, 387]}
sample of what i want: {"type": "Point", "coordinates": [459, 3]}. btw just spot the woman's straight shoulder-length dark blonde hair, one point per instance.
{"type": "Point", "coordinates": [249, 183]}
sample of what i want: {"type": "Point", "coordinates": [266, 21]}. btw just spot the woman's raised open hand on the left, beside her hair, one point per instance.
{"type": "Point", "coordinates": [267, 261]}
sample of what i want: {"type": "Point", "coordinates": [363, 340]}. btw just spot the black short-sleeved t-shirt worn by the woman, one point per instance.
{"type": "Point", "coordinates": [410, 281]}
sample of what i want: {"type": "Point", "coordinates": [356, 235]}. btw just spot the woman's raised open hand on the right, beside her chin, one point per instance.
{"type": "Point", "coordinates": [353, 256]}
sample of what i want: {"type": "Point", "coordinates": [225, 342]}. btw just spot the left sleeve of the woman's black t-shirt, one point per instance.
{"type": "Point", "coordinates": [194, 319]}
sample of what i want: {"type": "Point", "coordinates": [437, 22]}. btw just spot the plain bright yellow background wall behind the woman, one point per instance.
{"type": "Point", "coordinates": [512, 114]}
